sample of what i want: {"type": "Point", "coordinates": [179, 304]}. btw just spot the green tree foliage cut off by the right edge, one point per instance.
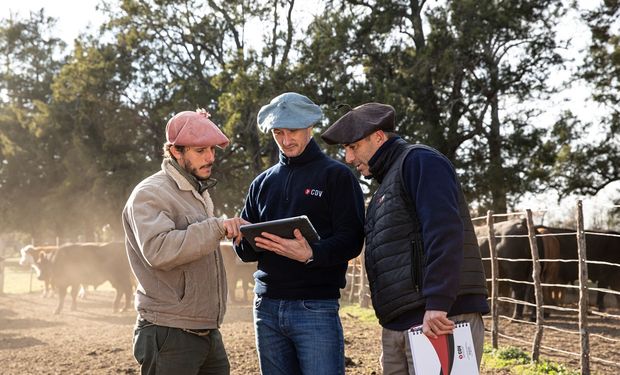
{"type": "Point", "coordinates": [588, 168]}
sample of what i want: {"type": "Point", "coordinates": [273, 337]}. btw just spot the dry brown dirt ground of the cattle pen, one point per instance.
{"type": "Point", "coordinates": [94, 340]}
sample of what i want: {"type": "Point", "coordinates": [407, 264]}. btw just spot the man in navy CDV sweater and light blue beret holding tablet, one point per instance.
{"type": "Point", "coordinates": [298, 330]}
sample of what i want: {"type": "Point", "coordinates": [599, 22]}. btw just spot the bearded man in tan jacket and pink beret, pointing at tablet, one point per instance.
{"type": "Point", "coordinates": [172, 240]}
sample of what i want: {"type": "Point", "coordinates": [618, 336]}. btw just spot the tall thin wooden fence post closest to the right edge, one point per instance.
{"type": "Point", "coordinates": [583, 292]}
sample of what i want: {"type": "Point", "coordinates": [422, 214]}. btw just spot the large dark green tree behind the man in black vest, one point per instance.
{"type": "Point", "coordinates": [450, 81]}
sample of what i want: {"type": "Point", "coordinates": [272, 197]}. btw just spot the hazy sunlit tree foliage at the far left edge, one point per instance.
{"type": "Point", "coordinates": [30, 59]}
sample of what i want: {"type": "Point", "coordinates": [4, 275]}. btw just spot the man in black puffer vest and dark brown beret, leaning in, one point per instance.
{"type": "Point", "coordinates": [422, 258]}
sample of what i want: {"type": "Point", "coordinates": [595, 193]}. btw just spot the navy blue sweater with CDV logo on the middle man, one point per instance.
{"type": "Point", "coordinates": [326, 191]}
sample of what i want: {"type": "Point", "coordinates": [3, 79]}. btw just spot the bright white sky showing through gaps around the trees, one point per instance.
{"type": "Point", "coordinates": [74, 16]}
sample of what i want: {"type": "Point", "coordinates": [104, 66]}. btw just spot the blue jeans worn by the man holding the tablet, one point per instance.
{"type": "Point", "coordinates": [295, 337]}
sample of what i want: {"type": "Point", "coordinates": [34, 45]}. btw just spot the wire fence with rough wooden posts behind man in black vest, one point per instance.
{"type": "Point", "coordinates": [587, 337]}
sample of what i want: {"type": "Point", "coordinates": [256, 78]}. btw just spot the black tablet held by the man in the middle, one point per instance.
{"type": "Point", "coordinates": [282, 227]}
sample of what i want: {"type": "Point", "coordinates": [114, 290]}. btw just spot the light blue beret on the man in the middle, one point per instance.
{"type": "Point", "coordinates": [288, 111]}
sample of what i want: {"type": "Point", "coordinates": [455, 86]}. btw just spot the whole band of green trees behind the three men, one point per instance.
{"type": "Point", "coordinates": [78, 130]}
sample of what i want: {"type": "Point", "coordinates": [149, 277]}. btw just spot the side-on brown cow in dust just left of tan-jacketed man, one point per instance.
{"type": "Point", "coordinates": [88, 264]}
